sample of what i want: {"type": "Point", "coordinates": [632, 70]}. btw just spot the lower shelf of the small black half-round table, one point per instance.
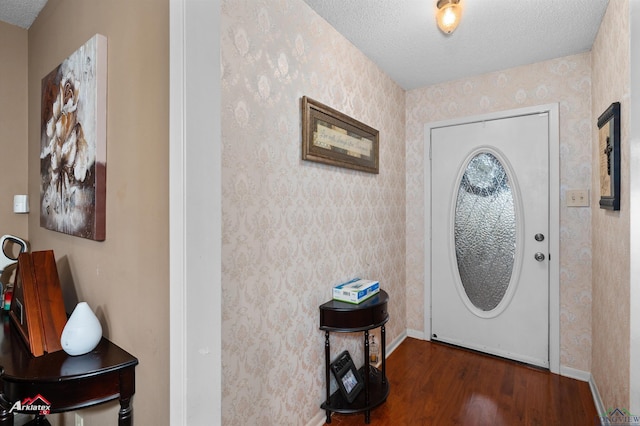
{"type": "Point", "coordinates": [378, 393]}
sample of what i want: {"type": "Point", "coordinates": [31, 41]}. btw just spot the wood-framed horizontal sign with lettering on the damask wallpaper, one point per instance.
{"type": "Point", "coordinates": [331, 137]}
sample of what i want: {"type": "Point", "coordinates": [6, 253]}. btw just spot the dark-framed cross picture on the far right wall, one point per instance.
{"type": "Point", "coordinates": [609, 157]}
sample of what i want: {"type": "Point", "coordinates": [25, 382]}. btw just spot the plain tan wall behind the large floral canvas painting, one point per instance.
{"type": "Point", "coordinates": [125, 279]}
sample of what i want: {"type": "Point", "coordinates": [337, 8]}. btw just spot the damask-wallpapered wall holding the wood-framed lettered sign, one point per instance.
{"type": "Point", "coordinates": [293, 229]}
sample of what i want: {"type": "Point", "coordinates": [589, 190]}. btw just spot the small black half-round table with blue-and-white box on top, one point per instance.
{"type": "Point", "coordinates": [344, 317]}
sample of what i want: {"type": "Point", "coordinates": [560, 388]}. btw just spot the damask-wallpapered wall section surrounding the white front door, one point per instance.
{"type": "Point", "coordinates": [566, 81]}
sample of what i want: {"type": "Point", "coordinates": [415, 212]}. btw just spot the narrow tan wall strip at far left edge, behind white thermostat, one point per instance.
{"type": "Point", "coordinates": [13, 127]}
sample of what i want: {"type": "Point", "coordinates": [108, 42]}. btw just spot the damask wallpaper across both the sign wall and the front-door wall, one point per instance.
{"type": "Point", "coordinates": [292, 229]}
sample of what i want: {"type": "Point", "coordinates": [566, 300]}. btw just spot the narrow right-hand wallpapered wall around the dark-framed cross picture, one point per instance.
{"type": "Point", "coordinates": [611, 261]}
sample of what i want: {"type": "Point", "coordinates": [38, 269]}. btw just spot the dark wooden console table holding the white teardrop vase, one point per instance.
{"type": "Point", "coordinates": [66, 382]}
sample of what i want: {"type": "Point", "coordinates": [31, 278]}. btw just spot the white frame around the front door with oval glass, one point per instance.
{"type": "Point", "coordinates": [554, 218]}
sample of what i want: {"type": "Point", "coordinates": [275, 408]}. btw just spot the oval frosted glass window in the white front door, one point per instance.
{"type": "Point", "coordinates": [485, 231]}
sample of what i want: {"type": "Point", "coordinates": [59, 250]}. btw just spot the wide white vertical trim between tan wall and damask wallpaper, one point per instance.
{"type": "Point", "coordinates": [195, 240]}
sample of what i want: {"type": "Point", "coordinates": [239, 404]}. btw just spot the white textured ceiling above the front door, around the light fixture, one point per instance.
{"type": "Point", "coordinates": [402, 38]}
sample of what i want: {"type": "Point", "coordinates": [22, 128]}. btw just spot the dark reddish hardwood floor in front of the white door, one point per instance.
{"type": "Point", "coordinates": [436, 384]}
